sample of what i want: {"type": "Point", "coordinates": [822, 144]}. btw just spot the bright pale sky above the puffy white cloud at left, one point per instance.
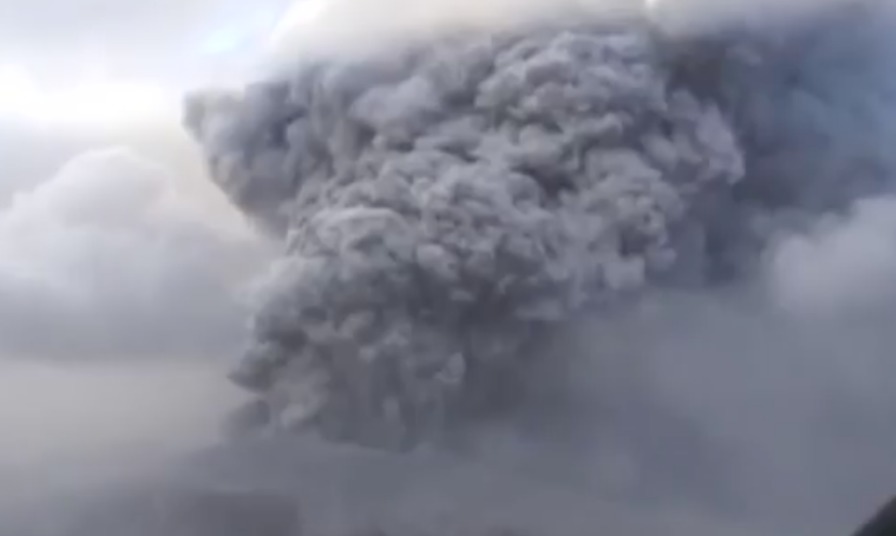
{"type": "Point", "coordinates": [80, 74]}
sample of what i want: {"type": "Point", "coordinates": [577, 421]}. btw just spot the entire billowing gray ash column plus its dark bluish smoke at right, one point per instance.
{"type": "Point", "coordinates": [444, 206]}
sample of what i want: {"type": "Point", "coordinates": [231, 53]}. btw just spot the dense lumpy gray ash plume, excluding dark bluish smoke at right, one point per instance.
{"type": "Point", "coordinates": [442, 206]}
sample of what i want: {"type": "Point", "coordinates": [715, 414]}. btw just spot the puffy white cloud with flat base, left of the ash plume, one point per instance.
{"type": "Point", "coordinates": [109, 258]}
